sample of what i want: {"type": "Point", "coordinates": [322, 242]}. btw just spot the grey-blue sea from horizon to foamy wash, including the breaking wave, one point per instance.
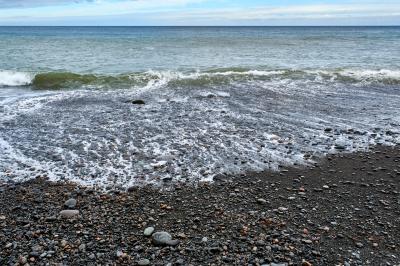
{"type": "Point", "coordinates": [218, 100]}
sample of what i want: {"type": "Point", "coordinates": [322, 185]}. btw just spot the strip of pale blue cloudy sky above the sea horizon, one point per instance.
{"type": "Point", "coordinates": [199, 12]}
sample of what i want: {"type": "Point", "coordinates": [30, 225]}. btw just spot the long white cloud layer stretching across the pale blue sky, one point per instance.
{"type": "Point", "coordinates": [175, 12]}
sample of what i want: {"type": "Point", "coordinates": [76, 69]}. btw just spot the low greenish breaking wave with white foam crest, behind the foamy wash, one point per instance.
{"type": "Point", "coordinates": [65, 80]}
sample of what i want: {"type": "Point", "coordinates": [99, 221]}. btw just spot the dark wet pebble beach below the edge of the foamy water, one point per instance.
{"type": "Point", "coordinates": [345, 210]}
